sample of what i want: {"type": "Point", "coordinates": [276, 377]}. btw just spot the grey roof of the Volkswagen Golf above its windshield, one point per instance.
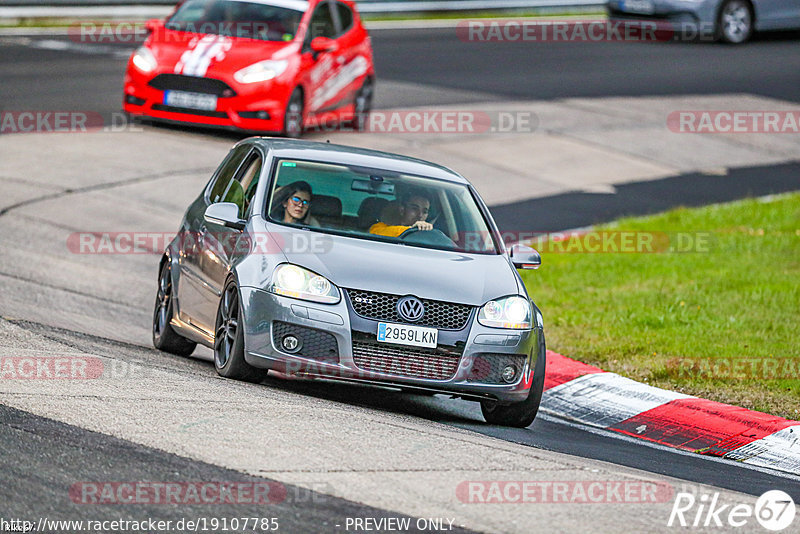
{"type": "Point", "coordinates": [356, 156]}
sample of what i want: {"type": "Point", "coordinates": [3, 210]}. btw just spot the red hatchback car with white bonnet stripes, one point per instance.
{"type": "Point", "coordinates": [258, 65]}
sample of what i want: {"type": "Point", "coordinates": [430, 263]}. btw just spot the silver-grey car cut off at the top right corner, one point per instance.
{"type": "Point", "coordinates": [732, 21]}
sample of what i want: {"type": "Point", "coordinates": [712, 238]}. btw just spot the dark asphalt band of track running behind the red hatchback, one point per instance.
{"type": "Point", "coordinates": [89, 77]}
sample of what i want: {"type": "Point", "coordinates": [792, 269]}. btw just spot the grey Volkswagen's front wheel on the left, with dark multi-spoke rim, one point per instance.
{"type": "Point", "coordinates": [229, 339]}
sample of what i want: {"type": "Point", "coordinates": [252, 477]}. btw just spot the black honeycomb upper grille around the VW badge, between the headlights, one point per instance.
{"type": "Point", "coordinates": [383, 307]}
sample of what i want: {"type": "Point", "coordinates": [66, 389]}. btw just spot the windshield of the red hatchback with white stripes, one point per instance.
{"type": "Point", "coordinates": [252, 20]}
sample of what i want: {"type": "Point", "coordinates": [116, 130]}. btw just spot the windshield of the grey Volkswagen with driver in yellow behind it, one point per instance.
{"type": "Point", "coordinates": [379, 205]}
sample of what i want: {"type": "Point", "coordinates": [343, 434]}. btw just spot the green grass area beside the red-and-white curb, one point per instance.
{"type": "Point", "coordinates": [643, 315]}
